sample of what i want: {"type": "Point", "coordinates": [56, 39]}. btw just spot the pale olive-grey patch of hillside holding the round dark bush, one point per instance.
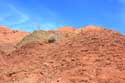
{"type": "Point", "coordinates": [43, 36]}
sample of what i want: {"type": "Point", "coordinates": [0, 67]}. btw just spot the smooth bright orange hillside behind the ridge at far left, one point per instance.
{"type": "Point", "coordinates": [9, 38]}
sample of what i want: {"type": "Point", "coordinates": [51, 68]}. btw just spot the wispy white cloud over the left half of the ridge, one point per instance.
{"type": "Point", "coordinates": [13, 17]}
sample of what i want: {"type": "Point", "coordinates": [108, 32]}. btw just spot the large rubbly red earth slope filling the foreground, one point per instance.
{"type": "Point", "coordinates": [87, 57]}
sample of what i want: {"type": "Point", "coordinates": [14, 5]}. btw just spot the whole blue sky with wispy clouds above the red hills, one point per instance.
{"type": "Point", "coordinates": [50, 14]}
